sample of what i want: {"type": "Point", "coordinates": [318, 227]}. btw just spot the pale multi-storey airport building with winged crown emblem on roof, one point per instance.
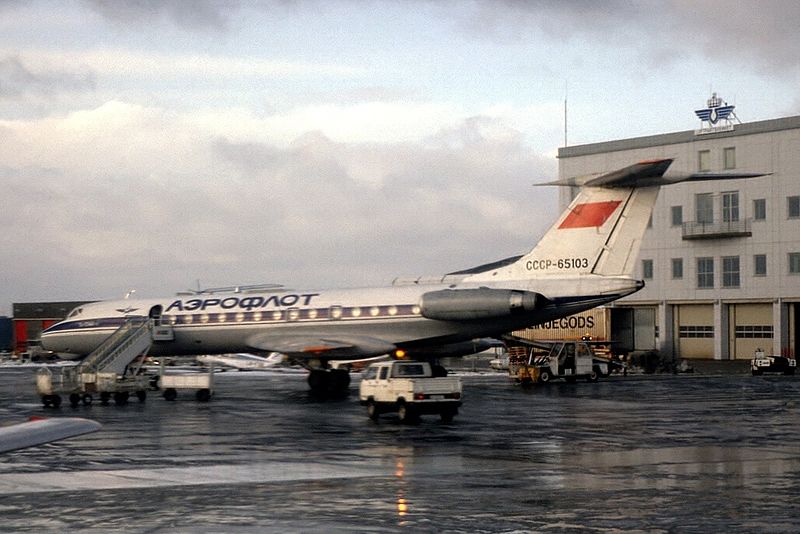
{"type": "Point", "coordinates": [721, 259]}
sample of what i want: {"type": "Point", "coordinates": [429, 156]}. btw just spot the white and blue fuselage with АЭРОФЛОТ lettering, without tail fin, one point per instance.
{"type": "Point", "coordinates": [365, 321]}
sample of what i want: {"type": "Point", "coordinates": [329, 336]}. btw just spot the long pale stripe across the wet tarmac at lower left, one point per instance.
{"type": "Point", "coordinates": [88, 480]}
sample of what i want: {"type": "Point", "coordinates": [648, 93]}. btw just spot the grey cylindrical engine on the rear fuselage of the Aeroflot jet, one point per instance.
{"type": "Point", "coordinates": [481, 303]}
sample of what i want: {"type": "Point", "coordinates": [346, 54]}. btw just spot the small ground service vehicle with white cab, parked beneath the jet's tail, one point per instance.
{"type": "Point", "coordinates": [569, 360]}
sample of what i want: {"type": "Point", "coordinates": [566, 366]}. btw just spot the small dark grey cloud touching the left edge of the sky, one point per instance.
{"type": "Point", "coordinates": [18, 80]}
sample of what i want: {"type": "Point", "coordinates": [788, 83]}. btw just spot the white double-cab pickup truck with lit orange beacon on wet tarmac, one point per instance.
{"type": "Point", "coordinates": [409, 388]}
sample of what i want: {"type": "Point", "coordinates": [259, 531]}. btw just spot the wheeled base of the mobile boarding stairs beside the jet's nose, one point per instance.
{"type": "Point", "coordinates": [84, 387]}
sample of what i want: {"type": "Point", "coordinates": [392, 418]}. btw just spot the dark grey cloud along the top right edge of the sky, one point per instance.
{"type": "Point", "coordinates": [762, 34]}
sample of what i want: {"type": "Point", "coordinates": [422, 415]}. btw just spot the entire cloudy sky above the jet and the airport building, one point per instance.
{"type": "Point", "coordinates": [154, 144]}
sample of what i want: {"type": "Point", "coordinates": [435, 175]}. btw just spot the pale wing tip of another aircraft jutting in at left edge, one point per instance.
{"type": "Point", "coordinates": [39, 431]}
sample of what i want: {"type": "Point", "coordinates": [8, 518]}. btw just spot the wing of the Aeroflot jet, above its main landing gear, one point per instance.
{"type": "Point", "coordinates": [332, 347]}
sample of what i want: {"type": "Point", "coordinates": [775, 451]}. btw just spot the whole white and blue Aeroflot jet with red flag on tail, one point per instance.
{"type": "Point", "coordinates": [584, 260]}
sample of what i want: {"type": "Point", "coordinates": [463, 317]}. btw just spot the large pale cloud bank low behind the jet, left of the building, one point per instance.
{"type": "Point", "coordinates": [316, 213]}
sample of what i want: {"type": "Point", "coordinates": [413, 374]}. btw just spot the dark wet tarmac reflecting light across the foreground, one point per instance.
{"type": "Point", "coordinates": [637, 454]}
